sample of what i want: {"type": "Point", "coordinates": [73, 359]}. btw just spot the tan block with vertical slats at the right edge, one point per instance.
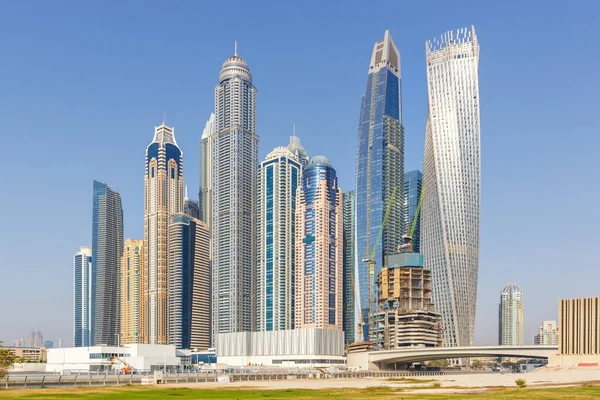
{"type": "Point", "coordinates": [579, 335]}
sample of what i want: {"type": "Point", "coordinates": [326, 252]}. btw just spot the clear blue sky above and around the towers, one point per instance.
{"type": "Point", "coordinates": [82, 85]}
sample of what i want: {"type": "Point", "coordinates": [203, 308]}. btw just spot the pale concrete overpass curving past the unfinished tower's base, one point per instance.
{"type": "Point", "coordinates": [375, 360]}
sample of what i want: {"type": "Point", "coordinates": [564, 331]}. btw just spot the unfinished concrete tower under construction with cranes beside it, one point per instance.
{"type": "Point", "coordinates": [405, 314]}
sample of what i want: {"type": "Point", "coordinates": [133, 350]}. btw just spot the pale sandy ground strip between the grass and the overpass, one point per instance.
{"type": "Point", "coordinates": [543, 377]}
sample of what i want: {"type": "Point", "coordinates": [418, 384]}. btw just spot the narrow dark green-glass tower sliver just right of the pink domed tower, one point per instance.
{"type": "Point", "coordinates": [349, 302]}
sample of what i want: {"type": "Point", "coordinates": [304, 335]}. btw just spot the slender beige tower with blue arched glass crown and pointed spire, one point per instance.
{"type": "Point", "coordinates": [163, 184]}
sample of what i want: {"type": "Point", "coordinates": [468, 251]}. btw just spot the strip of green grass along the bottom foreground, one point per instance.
{"type": "Point", "coordinates": [383, 393]}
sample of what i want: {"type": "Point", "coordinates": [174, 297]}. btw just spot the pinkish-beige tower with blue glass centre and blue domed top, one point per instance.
{"type": "Point", "coordinates": [319, 248]}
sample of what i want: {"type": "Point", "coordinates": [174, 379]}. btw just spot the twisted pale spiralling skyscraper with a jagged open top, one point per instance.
{"type": "Point", "coordinates": [451, 181]}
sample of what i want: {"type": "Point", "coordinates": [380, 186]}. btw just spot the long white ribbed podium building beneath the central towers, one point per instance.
{"type": "Point", "coordinates": [288, 348]}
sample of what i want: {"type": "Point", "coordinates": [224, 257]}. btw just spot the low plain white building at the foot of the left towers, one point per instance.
{"type": "Point", "coordinates": [140, 357]}
